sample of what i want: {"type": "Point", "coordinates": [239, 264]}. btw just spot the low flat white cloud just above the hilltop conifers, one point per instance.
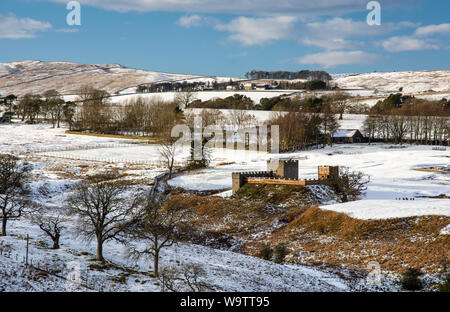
{"type": "Point", "coordinates": [334, 58]}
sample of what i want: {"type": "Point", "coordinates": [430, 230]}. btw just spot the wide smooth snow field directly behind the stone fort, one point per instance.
{"type": "Point", "coordinates": [391, 169]}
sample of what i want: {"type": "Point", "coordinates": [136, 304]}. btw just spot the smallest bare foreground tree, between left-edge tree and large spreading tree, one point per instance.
{"type": "Point", "coordinates": [51, 225]}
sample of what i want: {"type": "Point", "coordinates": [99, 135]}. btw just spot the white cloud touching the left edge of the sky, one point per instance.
{"type": "Point", "coordinates": [12, 27]}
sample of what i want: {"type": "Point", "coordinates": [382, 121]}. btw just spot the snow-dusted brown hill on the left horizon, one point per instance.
{"type": "Point", "coordinates": [36, 77]}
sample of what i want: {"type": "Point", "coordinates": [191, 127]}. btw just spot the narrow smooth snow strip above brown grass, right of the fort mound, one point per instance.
{"type": "Point", "coordinates": [389, 209]}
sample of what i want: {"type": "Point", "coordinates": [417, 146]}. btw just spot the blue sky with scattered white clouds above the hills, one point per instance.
{"type": "Point", "coordinates": [229, 38]}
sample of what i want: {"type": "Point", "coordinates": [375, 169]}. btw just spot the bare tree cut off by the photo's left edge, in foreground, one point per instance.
{"type": "Point", "coordinates": [14, 191]}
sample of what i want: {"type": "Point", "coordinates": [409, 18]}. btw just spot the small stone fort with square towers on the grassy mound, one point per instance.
{"type": "Point", "coordinates": [282, 171]}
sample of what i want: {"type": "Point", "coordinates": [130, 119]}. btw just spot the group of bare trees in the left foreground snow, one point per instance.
{"type": "Point", "coordinates": [103, 208]}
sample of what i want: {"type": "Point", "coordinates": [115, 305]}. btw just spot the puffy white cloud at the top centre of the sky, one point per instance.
{"type": "Point", "coordinates": [259, 31]}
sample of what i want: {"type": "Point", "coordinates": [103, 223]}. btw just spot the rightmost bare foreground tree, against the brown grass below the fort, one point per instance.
{"type": "Point", "coordinates": [159, 224]}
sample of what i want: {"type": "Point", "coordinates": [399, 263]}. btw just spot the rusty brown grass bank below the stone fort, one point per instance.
{"type": "Point", "coordinates": [318, 236]}
